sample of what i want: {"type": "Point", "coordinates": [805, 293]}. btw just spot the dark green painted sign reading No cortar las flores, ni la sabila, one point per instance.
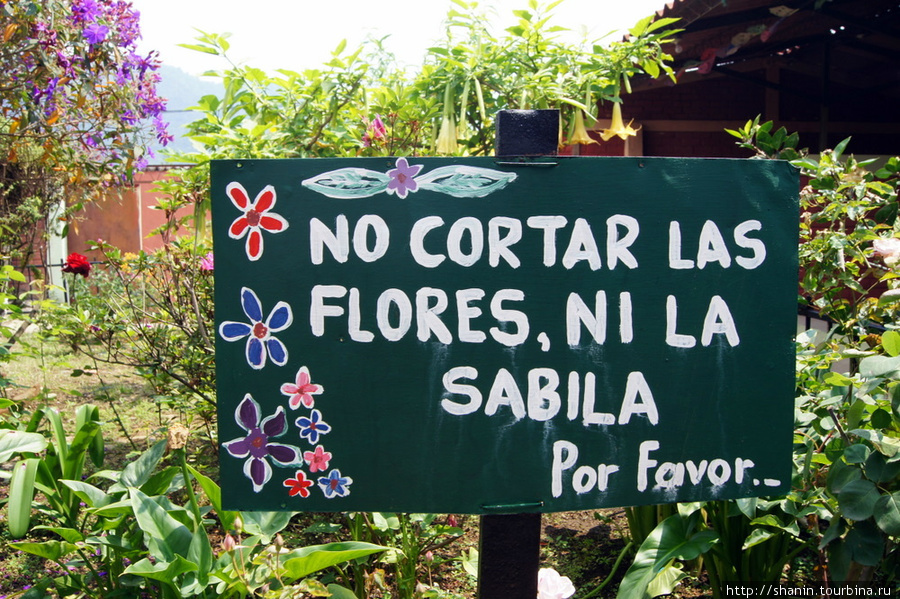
{"type": "Point", "coordinates": [478, 336]}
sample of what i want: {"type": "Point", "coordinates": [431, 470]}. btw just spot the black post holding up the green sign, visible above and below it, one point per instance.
{"type": "Point", "coordinates": [509, 547]}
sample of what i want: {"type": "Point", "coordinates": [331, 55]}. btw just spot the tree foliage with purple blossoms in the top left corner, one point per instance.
{"type": "Point", "coordinates": [77, 103]}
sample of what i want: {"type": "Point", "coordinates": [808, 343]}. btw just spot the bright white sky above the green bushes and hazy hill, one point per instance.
{"type": "Point", "coordinates": [300, 34]}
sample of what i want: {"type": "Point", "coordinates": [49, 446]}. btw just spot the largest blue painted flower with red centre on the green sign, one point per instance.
{"type": "Point", "coordinates": [260, 342]}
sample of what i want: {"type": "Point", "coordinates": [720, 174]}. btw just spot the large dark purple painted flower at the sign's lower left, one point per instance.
{"type": "Point", "coordinates": [257, 447]}
